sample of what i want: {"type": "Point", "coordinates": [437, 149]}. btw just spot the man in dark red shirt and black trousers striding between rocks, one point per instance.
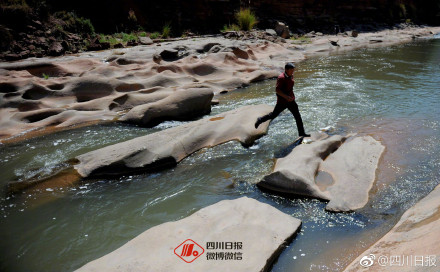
{"type": "Point", "coordinates": [285, 99]}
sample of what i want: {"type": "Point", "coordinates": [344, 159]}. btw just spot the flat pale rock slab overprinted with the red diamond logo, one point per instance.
{"type": "Point", "coordinates": [262, 229]}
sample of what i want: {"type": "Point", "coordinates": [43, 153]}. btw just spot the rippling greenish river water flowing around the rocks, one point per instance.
{"type": "Point", "coordinates": [390, 93]}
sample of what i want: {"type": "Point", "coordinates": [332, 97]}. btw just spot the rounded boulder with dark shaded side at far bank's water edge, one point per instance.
{"type": "Point", "coordinates": [181, 105]}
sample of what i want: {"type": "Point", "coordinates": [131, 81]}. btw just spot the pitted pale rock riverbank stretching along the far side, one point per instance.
{"type": "Point", "coordinates": [45, 95]}
